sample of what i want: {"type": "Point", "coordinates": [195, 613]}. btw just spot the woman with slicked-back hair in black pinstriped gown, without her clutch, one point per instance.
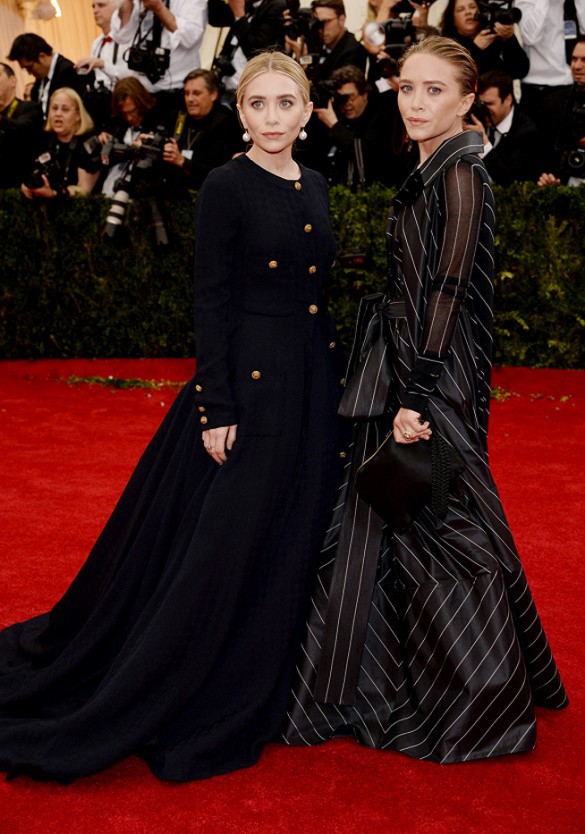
{"type": "Point", "coordinates": [427, 641]}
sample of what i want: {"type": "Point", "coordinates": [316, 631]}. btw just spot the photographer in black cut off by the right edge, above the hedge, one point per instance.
{"type": "Point", "coordinates": [564, 141]}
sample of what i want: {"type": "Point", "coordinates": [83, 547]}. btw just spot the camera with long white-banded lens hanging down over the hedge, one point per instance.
{"type": "Point", "coordinates": [137, 179]}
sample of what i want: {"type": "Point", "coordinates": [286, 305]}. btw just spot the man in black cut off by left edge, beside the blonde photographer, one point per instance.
{"type": "Point", "coordinates": [20, 131]}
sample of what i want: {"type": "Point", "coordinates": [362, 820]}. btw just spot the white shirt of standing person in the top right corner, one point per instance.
{"type": "Point", "coordinates": [543, 37]}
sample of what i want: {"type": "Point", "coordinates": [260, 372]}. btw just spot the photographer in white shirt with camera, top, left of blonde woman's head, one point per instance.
{"type": "Point", "coordinates": [161, 40]}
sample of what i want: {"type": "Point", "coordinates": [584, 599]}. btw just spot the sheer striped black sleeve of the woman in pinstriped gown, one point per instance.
{"type": "Point", "coordinates": [462, 208]}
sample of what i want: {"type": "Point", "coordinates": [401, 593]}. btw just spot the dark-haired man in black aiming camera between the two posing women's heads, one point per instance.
{"type": "Point", "coordinates": [366, 137]}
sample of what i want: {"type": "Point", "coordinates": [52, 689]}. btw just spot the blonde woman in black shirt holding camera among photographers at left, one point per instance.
{"type": "Point", "coordinates": [64, 168]}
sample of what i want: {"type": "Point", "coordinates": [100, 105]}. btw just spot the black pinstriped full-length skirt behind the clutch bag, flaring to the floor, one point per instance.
{"type": "Point", "coordinates": [454, 655]}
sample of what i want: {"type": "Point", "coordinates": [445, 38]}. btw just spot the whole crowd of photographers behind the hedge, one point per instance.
{"type": "Point", "coordinates": [138, 116]}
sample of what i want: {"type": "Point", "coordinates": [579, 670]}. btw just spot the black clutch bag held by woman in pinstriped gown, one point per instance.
{"type": "Point", "coordinates": [399, 479]}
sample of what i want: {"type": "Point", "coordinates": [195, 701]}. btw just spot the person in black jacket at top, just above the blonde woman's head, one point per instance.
{"type": "Point", "coordinates": [254, 25]}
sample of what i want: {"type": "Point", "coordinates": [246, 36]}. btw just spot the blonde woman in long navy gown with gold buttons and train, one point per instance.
{"type": "Point", "coordinates": [177, 640]}
